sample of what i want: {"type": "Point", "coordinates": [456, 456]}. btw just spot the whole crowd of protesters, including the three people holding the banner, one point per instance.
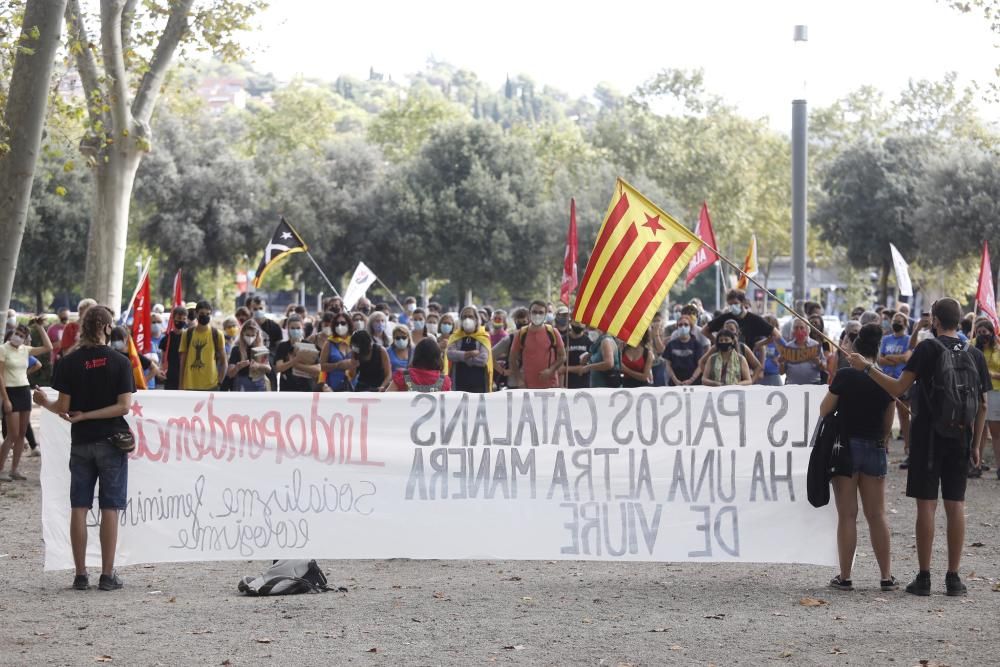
{"type": "Point", "coordinates": [878, 371]}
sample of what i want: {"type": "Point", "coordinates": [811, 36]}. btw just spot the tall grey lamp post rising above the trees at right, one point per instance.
{"type": "Point", "coordinates": [799, 163]}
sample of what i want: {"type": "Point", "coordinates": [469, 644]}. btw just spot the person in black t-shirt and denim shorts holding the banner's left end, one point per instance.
{"type": "Point", "coordinates": [95, 388]}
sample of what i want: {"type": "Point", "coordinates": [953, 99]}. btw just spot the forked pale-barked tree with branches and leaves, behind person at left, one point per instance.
{"type": "Point", "coordinates": [137, 43]}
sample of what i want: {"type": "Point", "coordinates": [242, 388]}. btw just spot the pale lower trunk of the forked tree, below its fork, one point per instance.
{"type": "Point", "coordinates": [108, 235]}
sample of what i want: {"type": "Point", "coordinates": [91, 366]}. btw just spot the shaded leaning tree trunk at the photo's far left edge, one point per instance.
{"type": "Point", "coordinates": [25, 116]}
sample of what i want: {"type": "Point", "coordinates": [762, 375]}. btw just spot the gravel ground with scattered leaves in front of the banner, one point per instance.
{"type": "Point", "coordinates": [404, 612]}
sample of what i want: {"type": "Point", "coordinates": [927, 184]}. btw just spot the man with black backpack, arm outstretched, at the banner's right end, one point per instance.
{"type": "Point", "coordinates": [949, 411]}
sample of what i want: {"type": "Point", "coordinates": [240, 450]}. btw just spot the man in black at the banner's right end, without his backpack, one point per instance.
{"type": "Point", "coordinates": [936, 462]}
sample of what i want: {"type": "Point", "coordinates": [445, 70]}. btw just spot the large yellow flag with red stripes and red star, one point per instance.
{"type": "Point", "coordinates": [639, 253]}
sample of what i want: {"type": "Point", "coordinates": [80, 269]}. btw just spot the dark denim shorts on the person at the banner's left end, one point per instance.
{"type": "Point", "coordinates": [95, 461]}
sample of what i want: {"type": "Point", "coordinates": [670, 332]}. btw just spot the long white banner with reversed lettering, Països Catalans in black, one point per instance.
{"type": "Point", "coordinates": [686, 474]}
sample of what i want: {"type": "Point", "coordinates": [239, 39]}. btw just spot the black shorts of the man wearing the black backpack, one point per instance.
{"type": "Point", "coordinates": [944, 466]}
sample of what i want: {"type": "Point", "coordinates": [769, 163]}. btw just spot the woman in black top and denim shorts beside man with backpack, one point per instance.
{"type": "Point", "coordinates": [866, 413]}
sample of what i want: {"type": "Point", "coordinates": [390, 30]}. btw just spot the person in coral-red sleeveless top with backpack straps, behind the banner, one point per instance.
{"type": "Point", "coordinates": [537, 352]}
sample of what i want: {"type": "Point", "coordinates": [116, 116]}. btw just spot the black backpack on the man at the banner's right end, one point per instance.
{"type": "Point", "coordinates": [953, 392]}
